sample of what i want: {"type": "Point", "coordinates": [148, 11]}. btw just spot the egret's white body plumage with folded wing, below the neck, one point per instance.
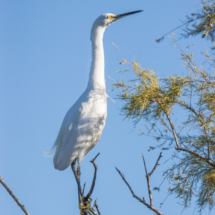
{"type": "Point", "coordinates": [81, 128]}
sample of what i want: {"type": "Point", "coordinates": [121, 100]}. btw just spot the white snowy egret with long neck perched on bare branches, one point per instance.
{"type": "Point", "coordinates": [83, 124]}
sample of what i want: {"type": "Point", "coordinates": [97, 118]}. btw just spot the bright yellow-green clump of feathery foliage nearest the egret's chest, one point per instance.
{"type": "Point", "coordinates": [147, 95]}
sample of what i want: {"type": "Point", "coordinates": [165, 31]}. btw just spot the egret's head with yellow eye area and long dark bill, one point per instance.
{"type": "Point", "coordinates": [109, 18]}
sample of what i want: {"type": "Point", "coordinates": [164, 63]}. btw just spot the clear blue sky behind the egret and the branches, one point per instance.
{"type": "Point", "coordinates": [45, 56]}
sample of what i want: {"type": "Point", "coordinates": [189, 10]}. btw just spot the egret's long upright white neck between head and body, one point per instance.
{"type": "Point", "coordinates": [96, 78]}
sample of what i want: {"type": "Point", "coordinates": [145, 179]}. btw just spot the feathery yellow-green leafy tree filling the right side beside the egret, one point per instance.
{"type": "Point", "coordinates": [154, 100]}
